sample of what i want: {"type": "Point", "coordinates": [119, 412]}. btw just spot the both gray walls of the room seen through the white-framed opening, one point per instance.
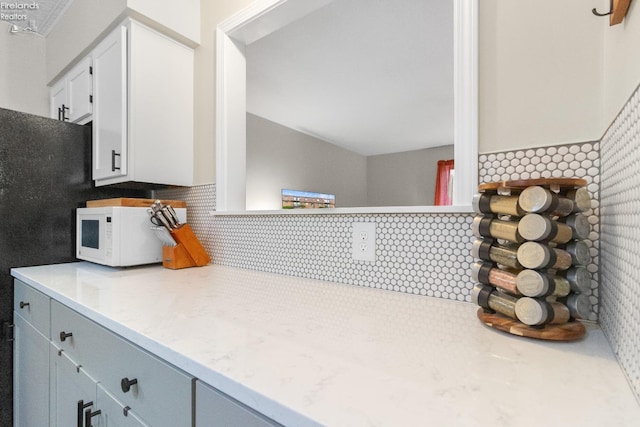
{"type": "Point", "coordinates": [280, 157]}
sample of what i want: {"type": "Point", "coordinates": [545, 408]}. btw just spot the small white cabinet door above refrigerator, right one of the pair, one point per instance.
{"type": "Point", "coordinates": [79, 91]}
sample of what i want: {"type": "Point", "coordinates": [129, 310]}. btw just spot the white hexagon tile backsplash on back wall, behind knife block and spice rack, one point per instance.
{"type": "Point", "coordinates": [420, 254]}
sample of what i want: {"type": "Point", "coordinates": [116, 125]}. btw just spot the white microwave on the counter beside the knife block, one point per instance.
{"type": "Point", "coordinates": [118, 236]}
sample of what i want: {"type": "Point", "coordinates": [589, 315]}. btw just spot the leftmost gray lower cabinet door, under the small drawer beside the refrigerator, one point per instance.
{"type": "Point", "coordinates": [30, 375]}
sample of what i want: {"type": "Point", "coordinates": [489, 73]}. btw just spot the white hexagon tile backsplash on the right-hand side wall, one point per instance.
{"type": "Point", "coordinates": [620, 239]}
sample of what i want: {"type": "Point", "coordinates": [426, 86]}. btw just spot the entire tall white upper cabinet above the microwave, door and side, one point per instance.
{"type": "Point", "coordinates": [143, 108]}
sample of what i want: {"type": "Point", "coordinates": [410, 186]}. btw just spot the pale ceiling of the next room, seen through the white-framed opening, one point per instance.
{"type": "Point", "coordinates": [372, 76]}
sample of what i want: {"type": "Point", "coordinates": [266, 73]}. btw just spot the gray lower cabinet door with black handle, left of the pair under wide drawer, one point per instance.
{"type": "Point", "coordinates": [72, 391]}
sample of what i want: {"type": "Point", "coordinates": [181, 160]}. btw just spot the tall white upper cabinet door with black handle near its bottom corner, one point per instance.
{"type": "Point", "coordinates": [110, 106]}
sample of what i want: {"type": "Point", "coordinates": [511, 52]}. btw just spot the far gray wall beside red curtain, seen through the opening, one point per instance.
{"type": "Point", "coordinates": [404, 179]}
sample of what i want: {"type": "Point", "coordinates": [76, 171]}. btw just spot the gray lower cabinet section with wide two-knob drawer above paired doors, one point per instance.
{"type": "Point", "coordinates": [132, 386]}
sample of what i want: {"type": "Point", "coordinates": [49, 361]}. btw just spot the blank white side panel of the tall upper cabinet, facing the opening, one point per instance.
{"type": "Point", "coordinates": [160, 108]}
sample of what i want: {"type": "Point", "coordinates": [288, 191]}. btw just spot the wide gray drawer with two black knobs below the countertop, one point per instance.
{"type": "Point", "coordinates": [161, 394]}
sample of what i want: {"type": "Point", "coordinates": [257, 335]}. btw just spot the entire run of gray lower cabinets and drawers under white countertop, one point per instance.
{"type": "Point", "coordinates": [72, 372]}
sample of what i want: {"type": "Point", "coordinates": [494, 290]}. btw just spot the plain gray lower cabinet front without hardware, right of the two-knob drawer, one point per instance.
{"type": "Point", "coordinates": [214, 408]}
